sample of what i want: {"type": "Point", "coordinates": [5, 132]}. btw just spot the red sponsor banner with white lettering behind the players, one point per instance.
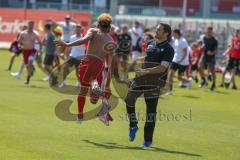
{"type": "Point", "coordinates": [11, 20]}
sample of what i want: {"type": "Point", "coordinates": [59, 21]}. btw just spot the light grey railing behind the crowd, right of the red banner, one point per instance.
{"type": "Point", "coordinates": [223, 29]}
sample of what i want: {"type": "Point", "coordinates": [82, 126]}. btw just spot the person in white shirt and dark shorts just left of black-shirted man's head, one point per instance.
{"type": "Point", "coordinates": [137, 36]}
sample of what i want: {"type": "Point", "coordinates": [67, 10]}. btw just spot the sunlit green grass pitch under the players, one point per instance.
{"type": "Point", "coordinates": [209, 128]}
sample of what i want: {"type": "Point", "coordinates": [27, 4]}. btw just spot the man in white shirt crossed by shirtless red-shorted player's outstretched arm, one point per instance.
{"type": "Point", "coordinates": [76, 55]}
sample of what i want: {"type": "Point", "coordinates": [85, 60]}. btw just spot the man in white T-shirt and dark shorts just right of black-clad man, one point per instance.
{"type": "Point", "coordinates": [180, 60]}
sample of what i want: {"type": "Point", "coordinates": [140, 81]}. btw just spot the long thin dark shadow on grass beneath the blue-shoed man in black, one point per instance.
{"type": "Point", "coordinates": [153, 149]}
